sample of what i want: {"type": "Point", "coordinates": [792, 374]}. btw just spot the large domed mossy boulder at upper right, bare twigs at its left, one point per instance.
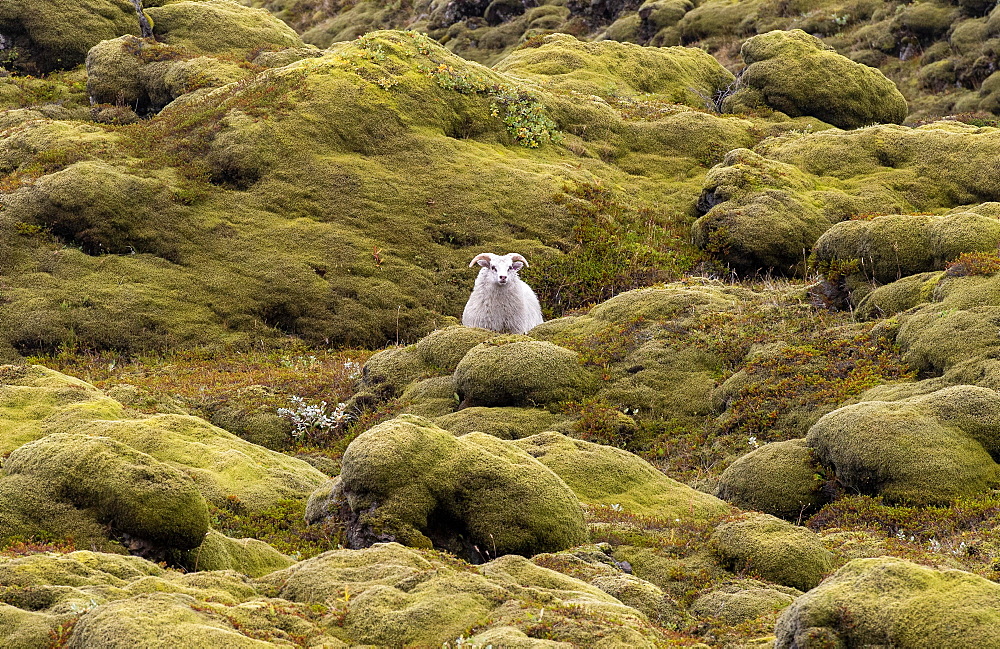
{"type": "Point", "coordinates": [797, 74]}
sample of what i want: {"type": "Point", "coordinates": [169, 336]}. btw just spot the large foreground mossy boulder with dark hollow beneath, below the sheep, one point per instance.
{"type": "Point", "coordinates": [478, 496]}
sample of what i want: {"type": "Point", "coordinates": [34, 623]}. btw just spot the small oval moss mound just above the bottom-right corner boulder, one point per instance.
{"type": "Point", "coordinates": [774, 550]}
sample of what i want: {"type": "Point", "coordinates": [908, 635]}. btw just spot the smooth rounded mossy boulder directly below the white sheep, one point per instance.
{"type": "Point", "coordinates": [519, 372]}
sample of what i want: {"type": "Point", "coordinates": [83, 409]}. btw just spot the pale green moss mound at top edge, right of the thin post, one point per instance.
{"type": "Point", "coordinates": [219, 27]}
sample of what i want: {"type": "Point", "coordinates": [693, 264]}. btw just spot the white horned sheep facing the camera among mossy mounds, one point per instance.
{"type": "Point", "coordinates": [500, 301]}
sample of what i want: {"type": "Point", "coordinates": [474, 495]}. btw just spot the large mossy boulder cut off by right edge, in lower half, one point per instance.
{"type": "Point", "coordinates": [927, 449]}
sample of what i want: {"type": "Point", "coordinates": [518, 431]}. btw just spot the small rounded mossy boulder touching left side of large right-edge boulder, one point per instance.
{"type": "Point", "coordinates": [782, 479]}
